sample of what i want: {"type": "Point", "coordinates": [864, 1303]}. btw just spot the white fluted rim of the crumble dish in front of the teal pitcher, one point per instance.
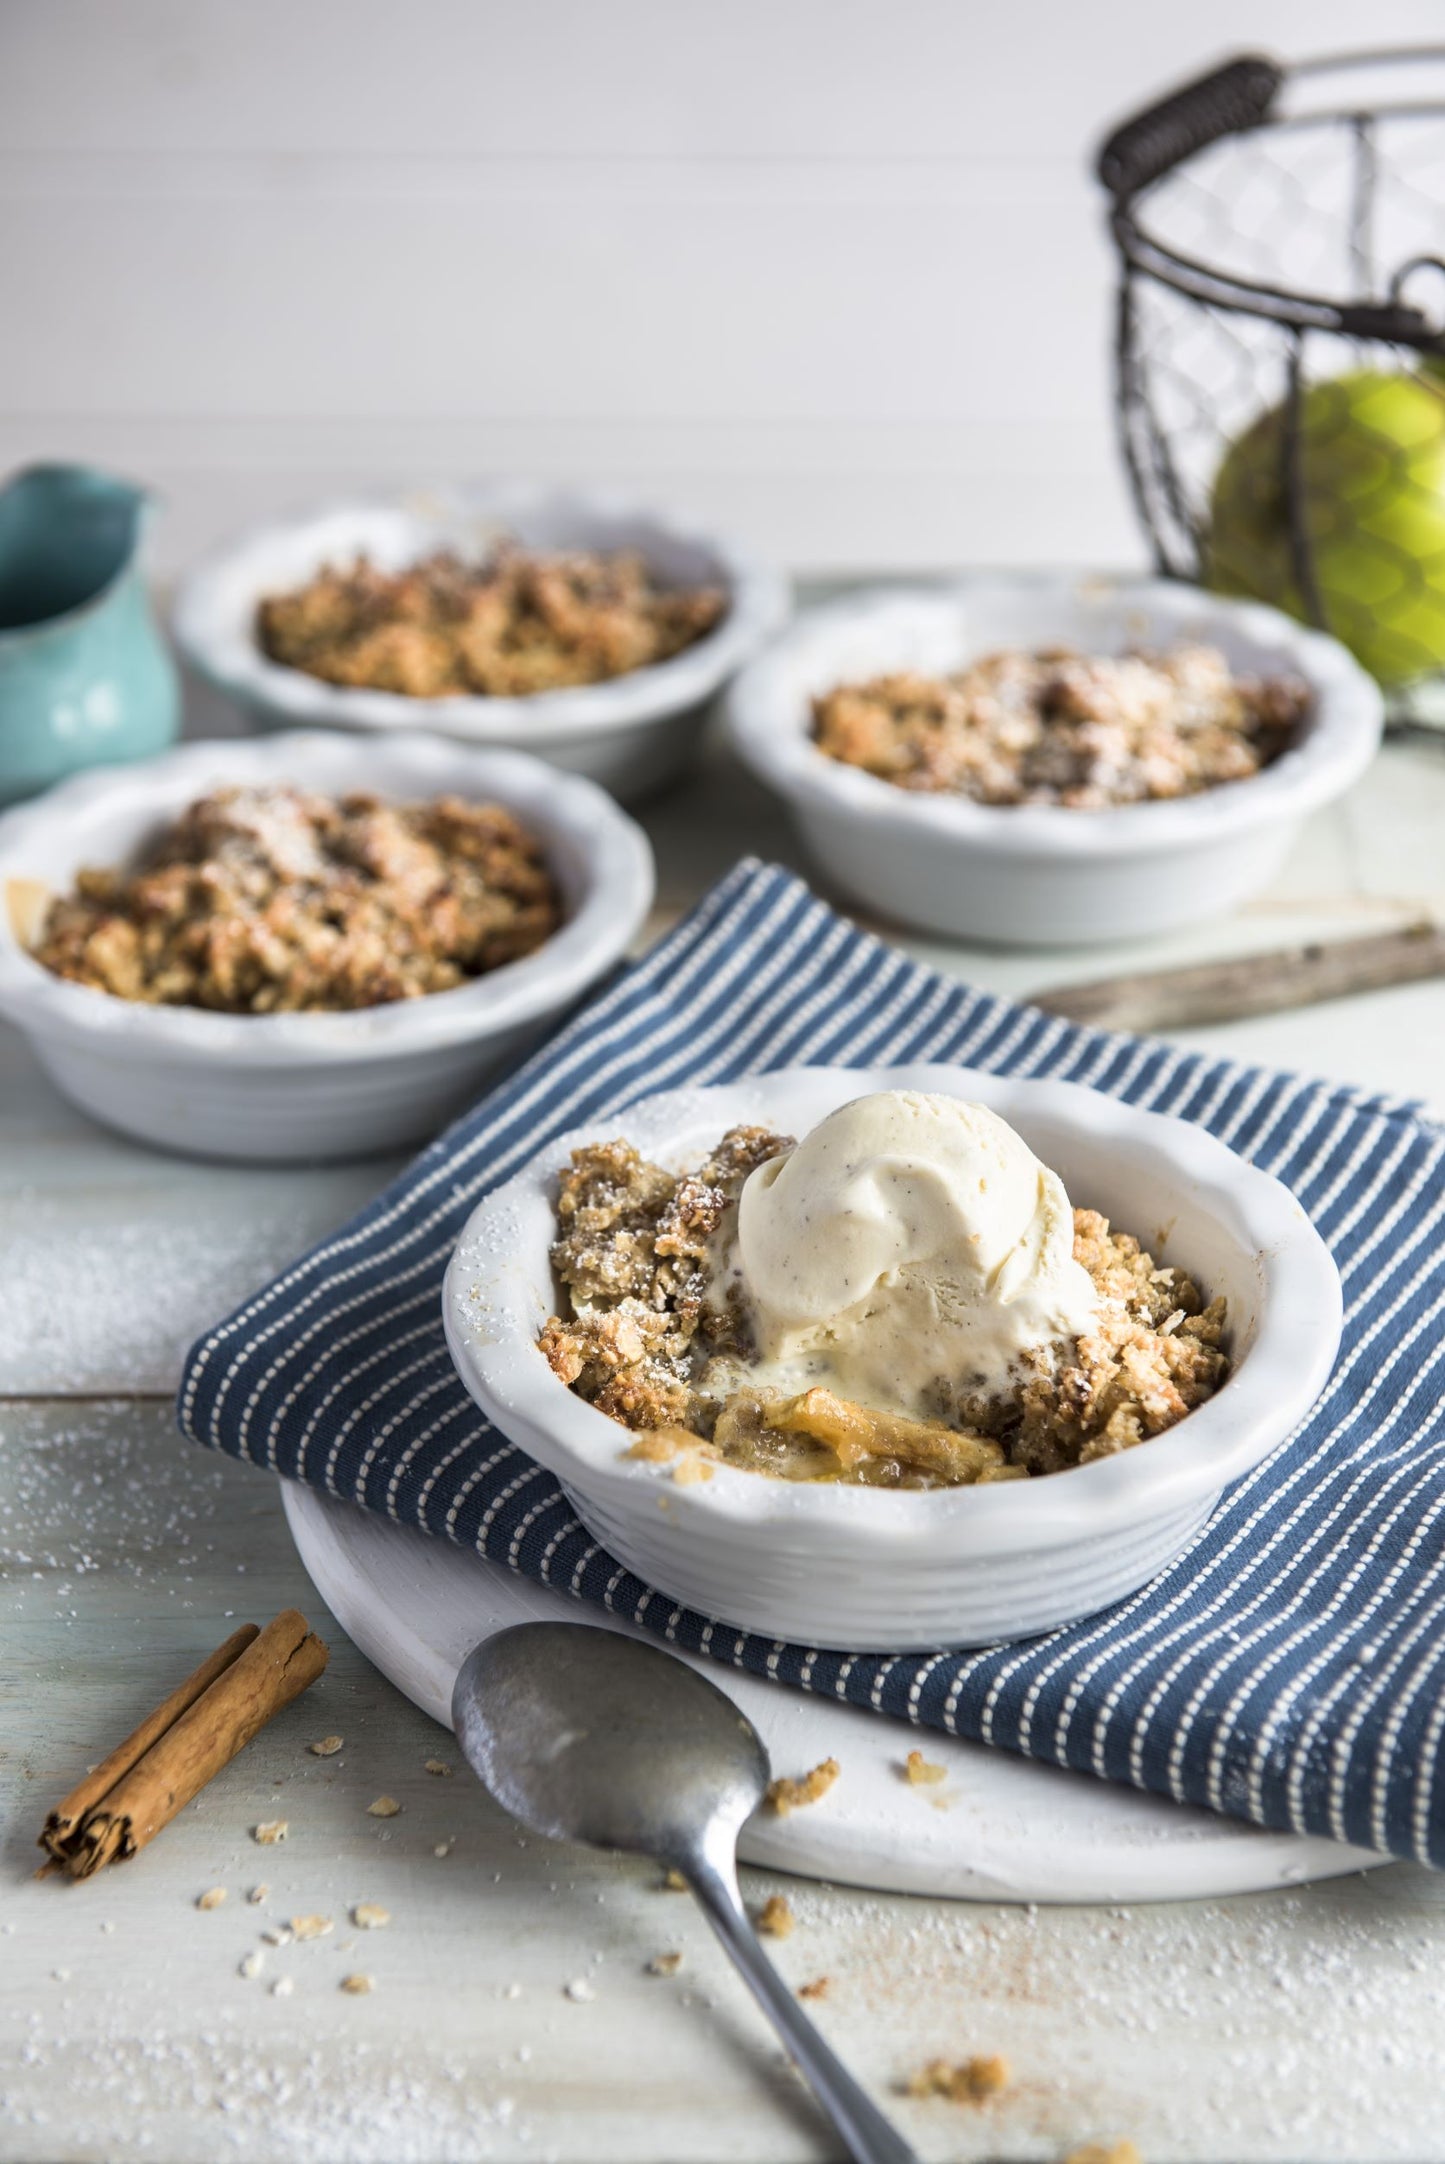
{"type": "Point", "coordinates": [620, 890]}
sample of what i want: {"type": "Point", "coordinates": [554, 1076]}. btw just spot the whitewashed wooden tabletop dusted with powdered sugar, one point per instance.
{"type": "Point", "coordinates": [1288, 2027]}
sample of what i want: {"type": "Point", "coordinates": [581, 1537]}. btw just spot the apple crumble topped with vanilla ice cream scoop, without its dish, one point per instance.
{"type": "Point", "coordinates": [680, 1317]}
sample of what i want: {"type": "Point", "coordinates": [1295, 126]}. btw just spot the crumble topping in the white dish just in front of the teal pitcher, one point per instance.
{"type": "Point", "coordinates": [263, 901]}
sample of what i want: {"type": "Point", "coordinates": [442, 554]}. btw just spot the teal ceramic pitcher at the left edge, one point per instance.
{"type": "Point", "coordinates": [85, 678]}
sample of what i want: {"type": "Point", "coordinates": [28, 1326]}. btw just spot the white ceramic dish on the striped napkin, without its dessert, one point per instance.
{"type": "Point", "coordinates": [899, 1572]}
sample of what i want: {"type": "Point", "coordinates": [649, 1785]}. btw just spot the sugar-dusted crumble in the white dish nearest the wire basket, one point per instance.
{"type": "Point", "coordinates": [1061, 728]}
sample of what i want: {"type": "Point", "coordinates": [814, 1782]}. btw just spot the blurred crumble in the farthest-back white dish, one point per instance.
{"type": "Point", "coordinates": [507, 626]}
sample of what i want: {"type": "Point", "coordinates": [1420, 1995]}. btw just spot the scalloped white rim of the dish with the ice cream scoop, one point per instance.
{"type": "Point", "coordinates": [1264, 1399]}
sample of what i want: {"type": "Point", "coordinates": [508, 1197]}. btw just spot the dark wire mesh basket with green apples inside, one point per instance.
{"type": "Point", "coordinates": [1282, 345]}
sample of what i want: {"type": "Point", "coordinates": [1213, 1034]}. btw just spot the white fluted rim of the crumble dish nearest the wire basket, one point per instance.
{"type": "Point", "coordinates": [771, 724]}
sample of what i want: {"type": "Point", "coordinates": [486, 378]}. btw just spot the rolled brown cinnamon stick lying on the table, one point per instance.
{"type": "Point", "coordinates": [150, 1778]}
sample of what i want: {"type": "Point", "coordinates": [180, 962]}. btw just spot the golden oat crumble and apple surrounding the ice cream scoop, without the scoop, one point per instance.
{"type": "Point", "coordinates": [633, 1254]}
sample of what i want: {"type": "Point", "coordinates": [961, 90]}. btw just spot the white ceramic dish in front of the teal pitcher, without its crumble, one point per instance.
{"type": "Point", "coordinates": [287, 1087]}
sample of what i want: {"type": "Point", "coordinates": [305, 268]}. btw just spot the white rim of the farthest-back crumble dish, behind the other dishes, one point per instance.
{"type": "Point", "coordinates": [222, 644]}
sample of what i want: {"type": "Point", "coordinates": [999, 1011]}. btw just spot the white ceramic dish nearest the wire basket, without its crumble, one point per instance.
{"type": "Point", "coordinates": [1039, 875]}
